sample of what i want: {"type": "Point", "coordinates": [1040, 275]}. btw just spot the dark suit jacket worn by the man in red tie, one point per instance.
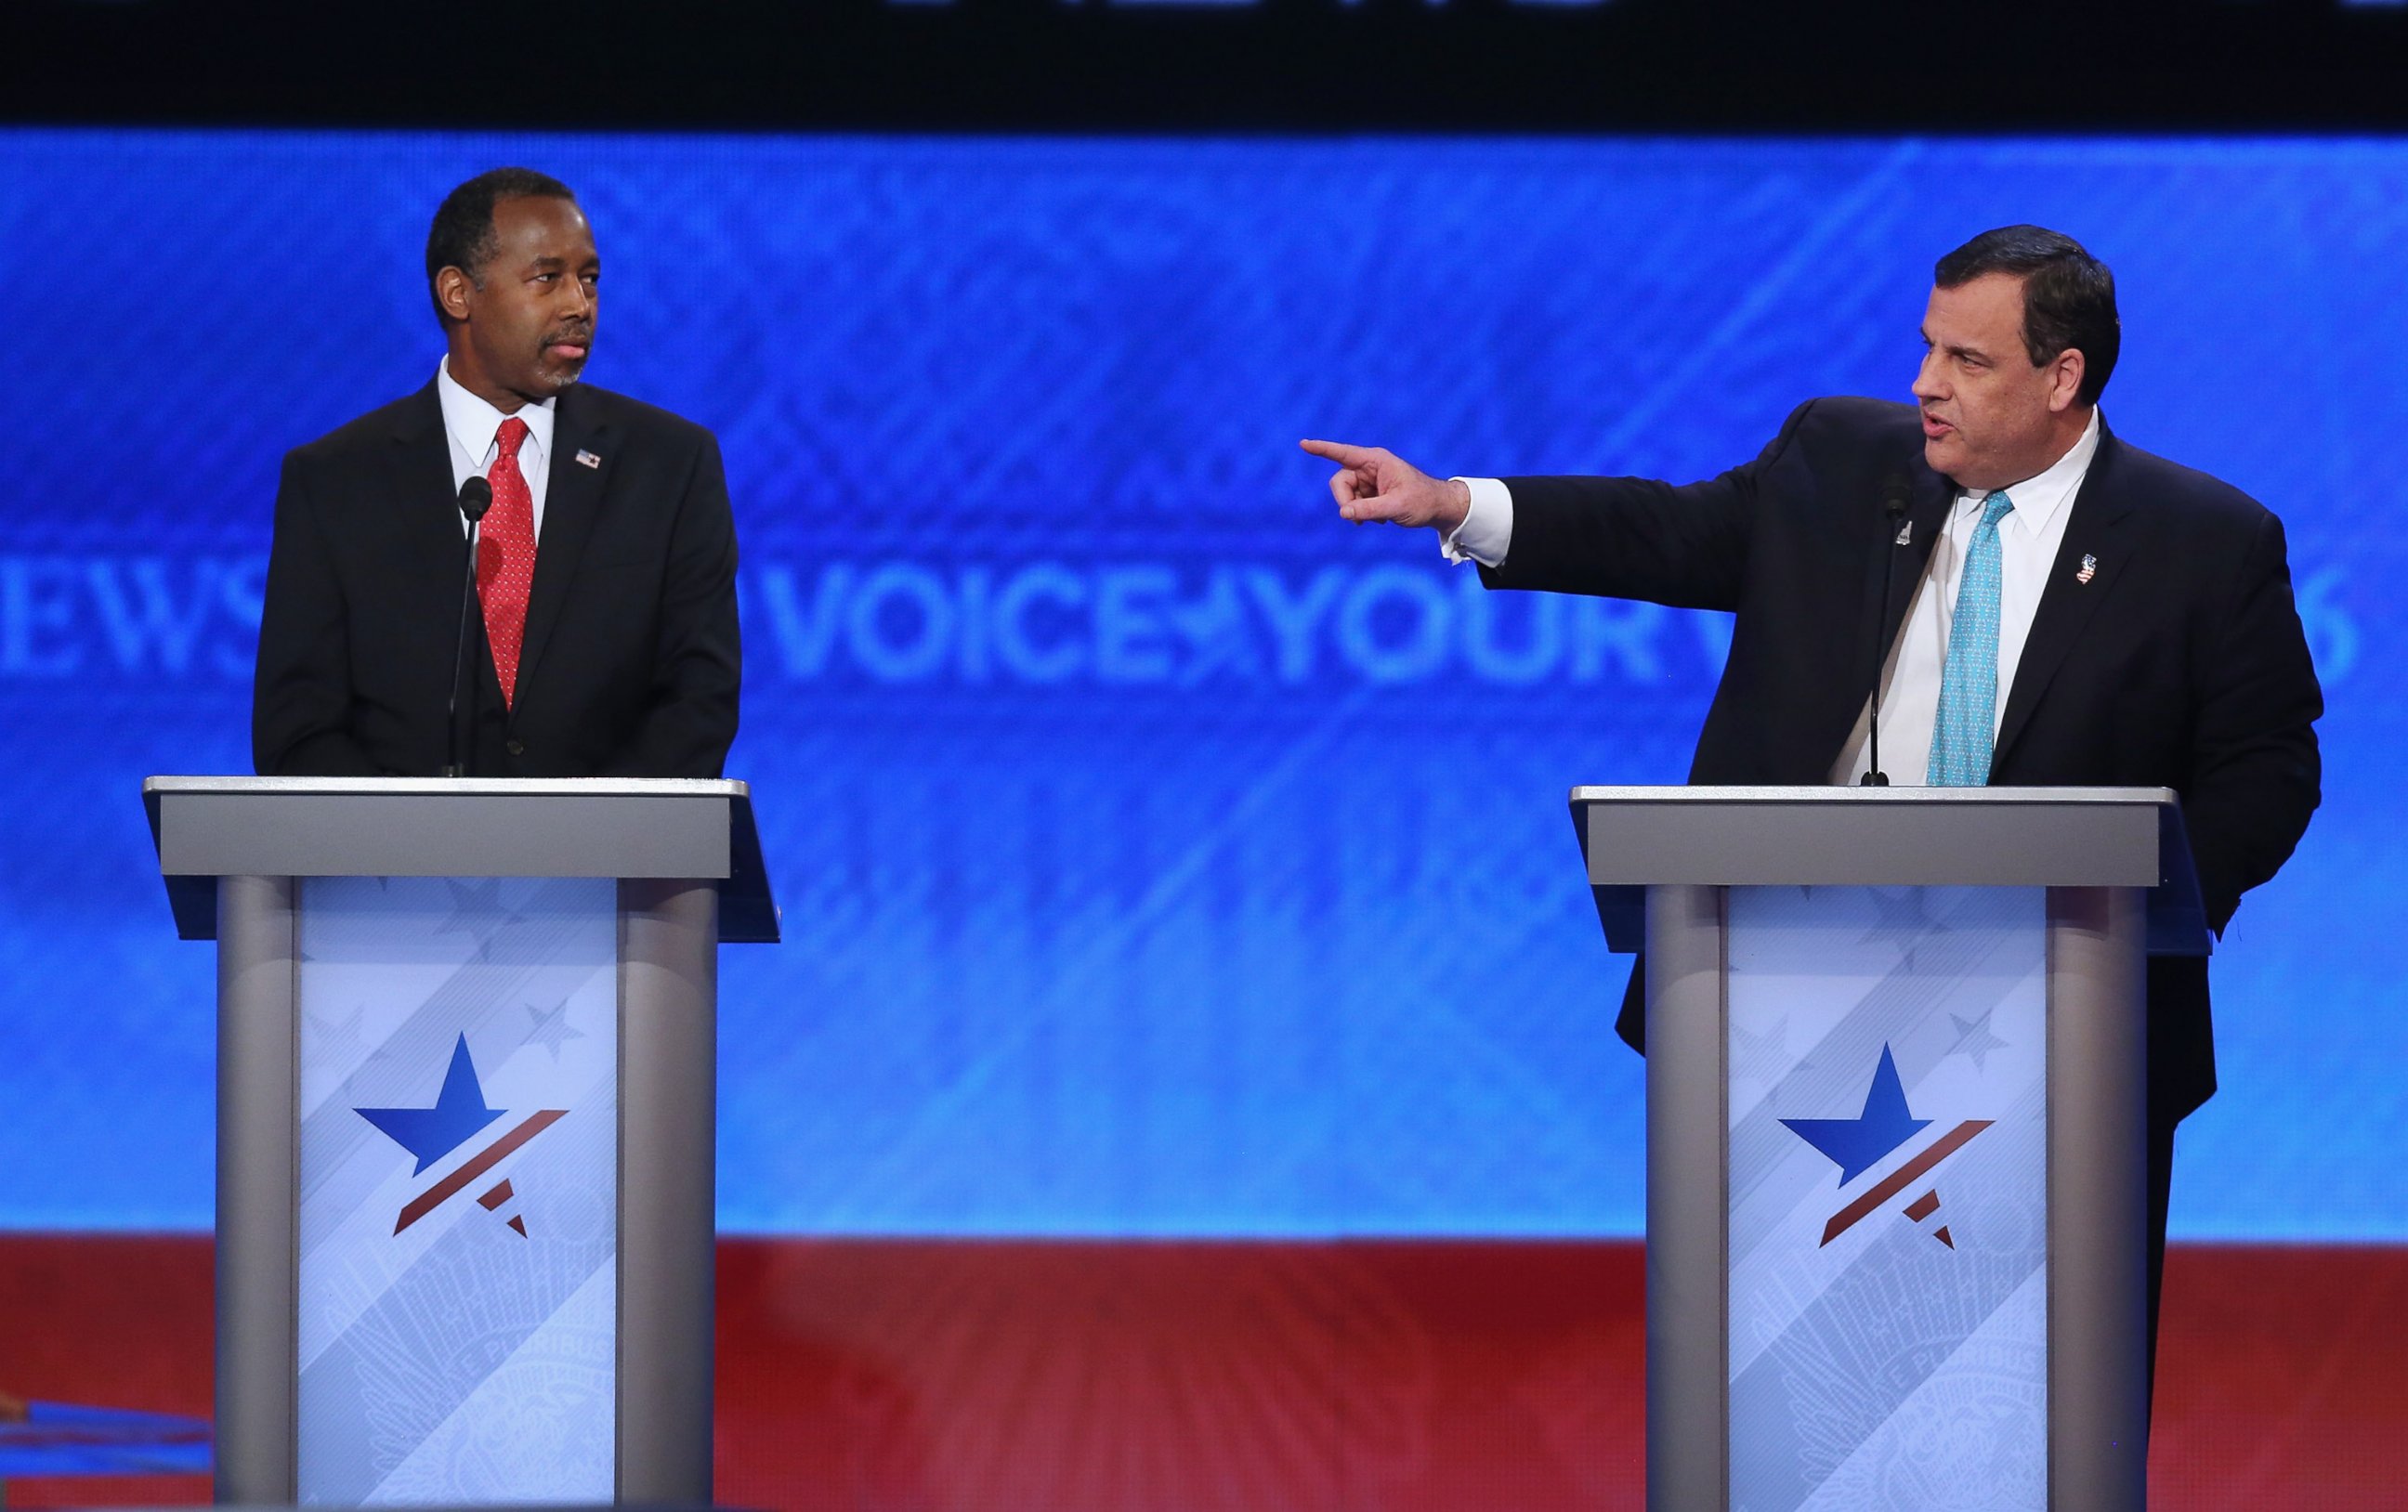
{"type": "Point", "coordinates": [630, 666]}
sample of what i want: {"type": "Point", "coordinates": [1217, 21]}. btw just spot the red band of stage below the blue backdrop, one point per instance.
{"type": "Point", "coordinates": [1237, 1376]}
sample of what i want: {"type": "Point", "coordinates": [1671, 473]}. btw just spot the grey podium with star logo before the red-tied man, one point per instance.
{"type": "Point", "coordinates": [466, 1077]}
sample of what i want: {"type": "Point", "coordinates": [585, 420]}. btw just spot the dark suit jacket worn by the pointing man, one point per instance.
{"type": "Point", "coordinates": [2178, 666]}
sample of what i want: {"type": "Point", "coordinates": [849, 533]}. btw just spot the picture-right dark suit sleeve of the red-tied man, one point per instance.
{"type": "Point", "coordinates": [697, 668]}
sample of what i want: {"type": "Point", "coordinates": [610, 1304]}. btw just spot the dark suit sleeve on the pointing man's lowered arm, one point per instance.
{"type": "Point", "coordinates": [2255, 776]}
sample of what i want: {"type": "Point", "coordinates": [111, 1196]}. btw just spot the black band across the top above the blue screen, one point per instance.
{"type": "Point", "coordinates": [1275, 66]}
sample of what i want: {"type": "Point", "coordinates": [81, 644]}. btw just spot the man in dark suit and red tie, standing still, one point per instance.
{"type": "Point", "coordinates": [606, 567]}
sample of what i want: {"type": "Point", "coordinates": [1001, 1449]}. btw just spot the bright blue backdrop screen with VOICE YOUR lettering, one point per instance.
{"type": "Point", "coordinates": [1159, 854]}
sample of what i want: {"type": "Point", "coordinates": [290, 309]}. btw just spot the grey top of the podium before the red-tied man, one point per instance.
{"type": "Point", "coordinates": [459, 827]}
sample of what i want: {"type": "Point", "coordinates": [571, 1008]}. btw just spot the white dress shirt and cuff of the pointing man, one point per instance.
{"type": "Point", "coordinates": [1911, 690]}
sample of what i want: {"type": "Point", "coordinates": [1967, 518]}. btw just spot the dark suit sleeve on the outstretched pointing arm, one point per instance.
{"type": "Point", "coordinates": [1639, 538]}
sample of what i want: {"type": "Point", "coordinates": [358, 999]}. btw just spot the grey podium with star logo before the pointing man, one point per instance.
{"type": "Point", "coordinates": [1896, 1135]}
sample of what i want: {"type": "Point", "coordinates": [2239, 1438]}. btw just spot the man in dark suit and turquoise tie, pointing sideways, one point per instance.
{"type": "Point", "coordinates": [2137, 618]}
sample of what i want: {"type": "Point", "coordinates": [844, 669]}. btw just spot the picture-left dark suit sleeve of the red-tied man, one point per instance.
{"type": "Point", "coordinates": [302, 690]}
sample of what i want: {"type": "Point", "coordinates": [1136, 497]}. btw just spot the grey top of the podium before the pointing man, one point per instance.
{"type": "Point", "coordinates": [1891, 837]}
